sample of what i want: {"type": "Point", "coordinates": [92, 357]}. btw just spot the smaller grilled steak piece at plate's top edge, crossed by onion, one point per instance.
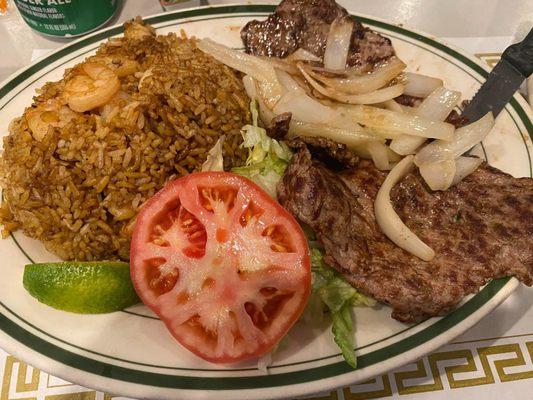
{"type": "Point", "coordinates": [305, 24]}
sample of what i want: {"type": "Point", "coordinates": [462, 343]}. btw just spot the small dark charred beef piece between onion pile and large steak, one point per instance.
{"type": "Point", "coordinates": [335, 155]}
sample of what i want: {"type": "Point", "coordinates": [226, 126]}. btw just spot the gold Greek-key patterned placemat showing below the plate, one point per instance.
{"type": "Point", "coordinates": [476, 364]}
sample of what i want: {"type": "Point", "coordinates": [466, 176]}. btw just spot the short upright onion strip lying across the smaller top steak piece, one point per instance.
{"type": "Point", "coordinates": [338, 44]}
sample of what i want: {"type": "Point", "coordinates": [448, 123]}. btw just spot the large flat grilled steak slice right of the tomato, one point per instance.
{"type": "Point", "coordinates": [480, 229]}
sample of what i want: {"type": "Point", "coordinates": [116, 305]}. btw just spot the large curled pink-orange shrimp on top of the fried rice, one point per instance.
{"type": "Point", "coordinates": [91, 85]}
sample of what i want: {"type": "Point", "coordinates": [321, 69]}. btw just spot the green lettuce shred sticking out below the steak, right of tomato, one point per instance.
{"type": "Point", "coordinates": [339, 297]}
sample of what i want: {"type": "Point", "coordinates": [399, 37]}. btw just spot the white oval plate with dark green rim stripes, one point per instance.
{"type": "Point", "coordinates": [131, 352]}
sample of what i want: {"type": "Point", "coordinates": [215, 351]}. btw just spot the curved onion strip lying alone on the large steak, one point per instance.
{"type": "Point", "coordinates": [390, 223]}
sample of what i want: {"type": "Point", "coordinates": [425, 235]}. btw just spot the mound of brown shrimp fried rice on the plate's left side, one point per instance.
{"type": "Point", "coordinates": [79, 163]}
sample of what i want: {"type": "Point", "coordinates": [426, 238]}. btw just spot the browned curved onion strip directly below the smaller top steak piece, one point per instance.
{"type": "Point", "coordinates": [363, 83]}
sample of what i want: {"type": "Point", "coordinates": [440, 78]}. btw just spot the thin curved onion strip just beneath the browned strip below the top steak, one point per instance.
{"type": "Point", "coordinates": [377, 96]}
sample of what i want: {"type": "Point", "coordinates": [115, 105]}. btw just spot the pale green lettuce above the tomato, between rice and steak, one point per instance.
{"type": "Point", "coordinates": [267, 158]}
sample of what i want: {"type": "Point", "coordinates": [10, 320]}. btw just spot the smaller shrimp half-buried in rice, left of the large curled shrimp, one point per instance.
{"type": "Point", "coordinates": [47, 115]}
